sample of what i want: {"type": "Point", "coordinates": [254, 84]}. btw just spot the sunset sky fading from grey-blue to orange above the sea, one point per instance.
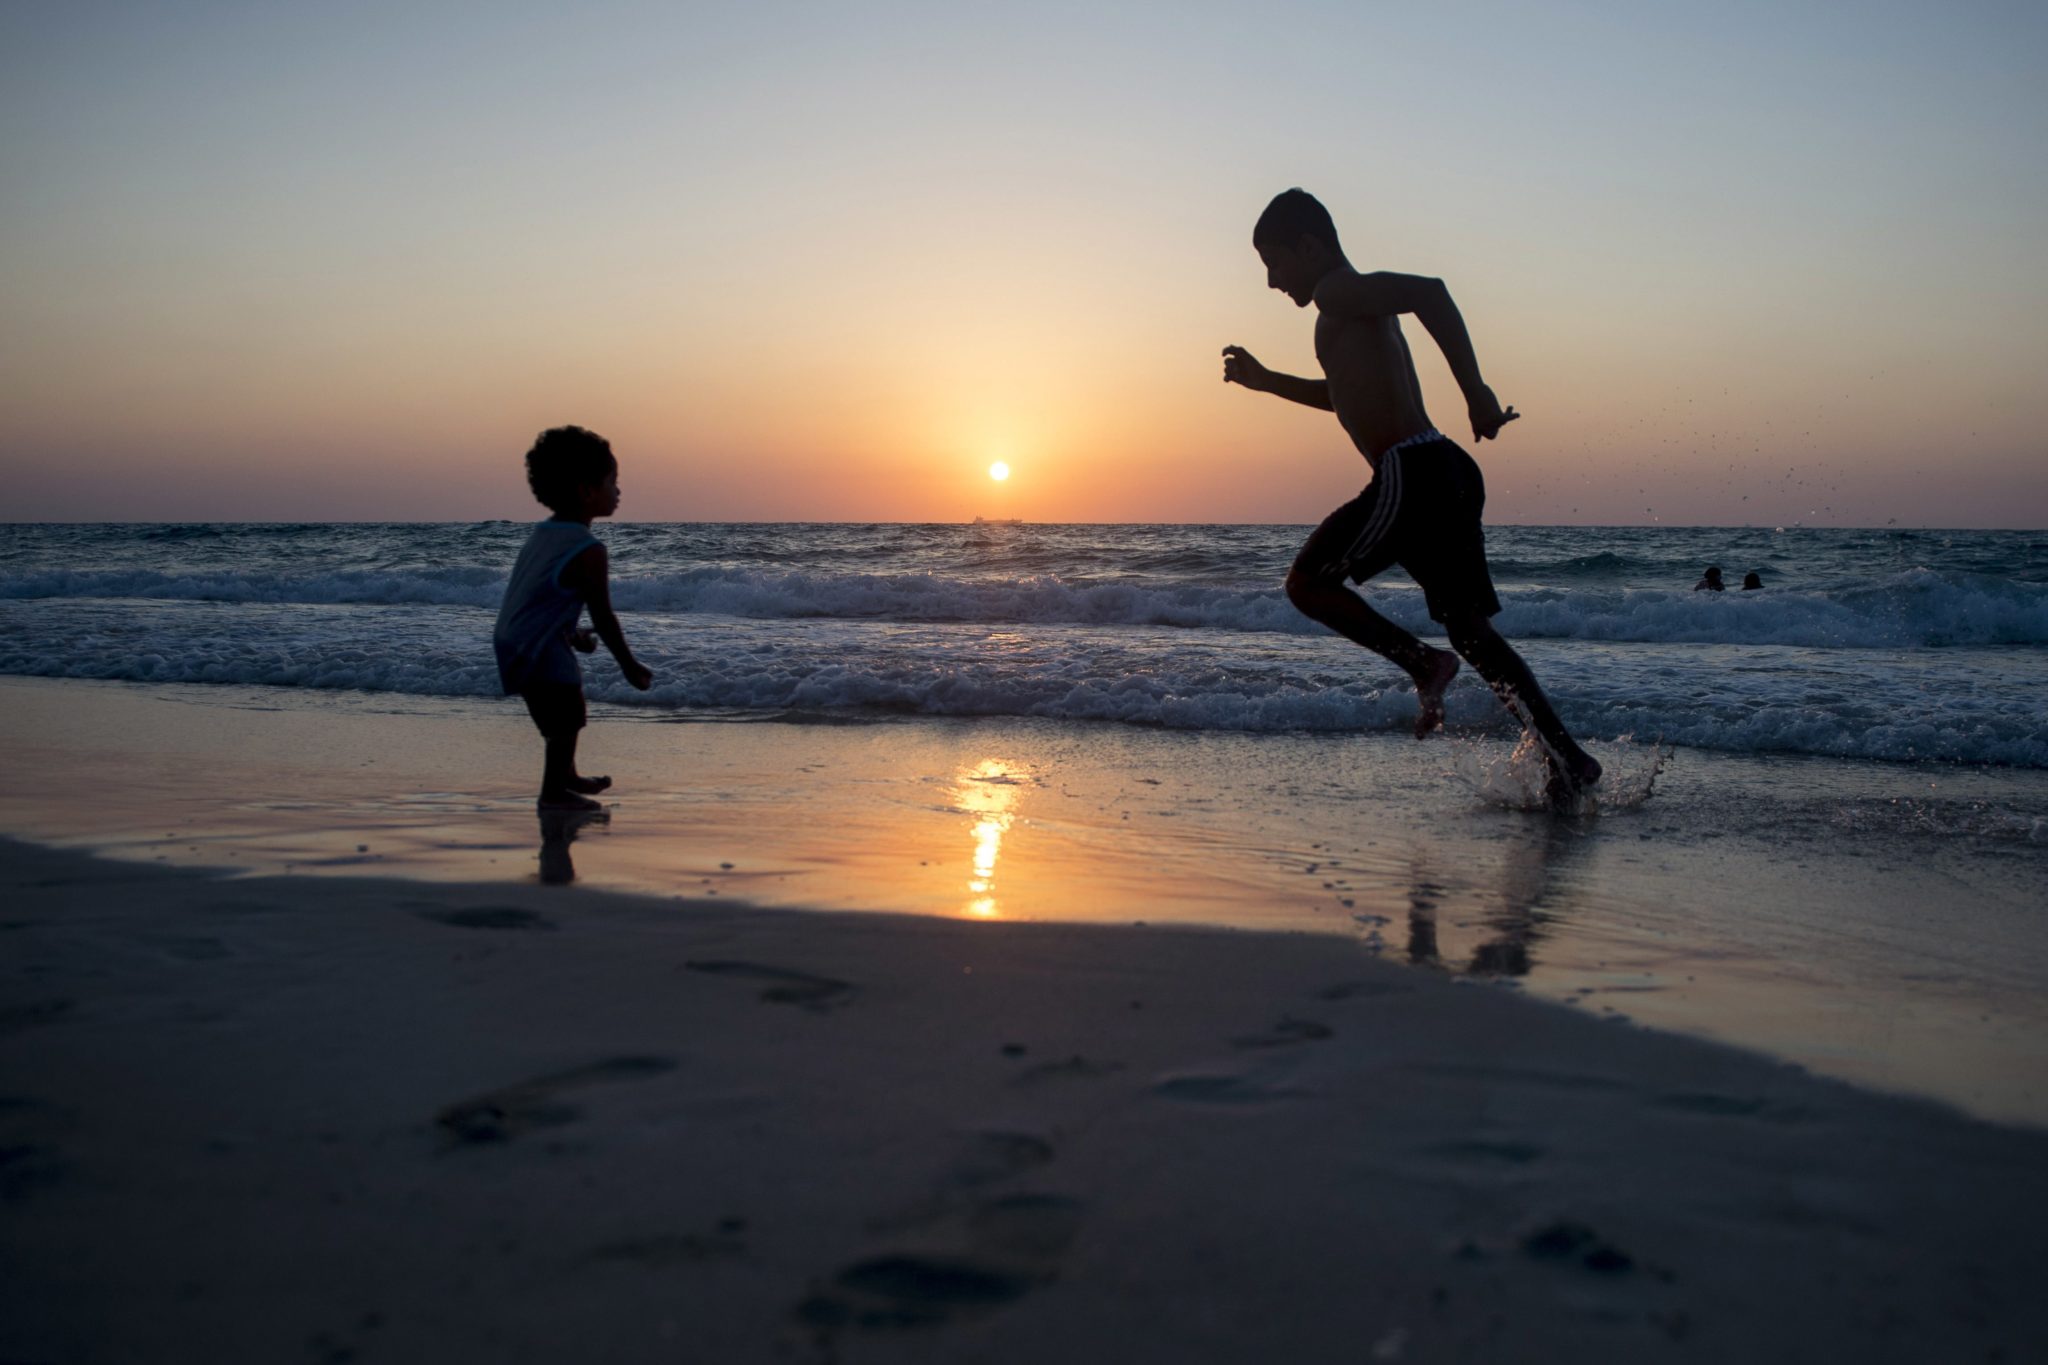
{"type": "Point", "coordinates": [1736, 263]}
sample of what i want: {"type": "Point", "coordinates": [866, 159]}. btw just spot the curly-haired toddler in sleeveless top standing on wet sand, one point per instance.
{"type": "Point", "coordinates": [558, 574]}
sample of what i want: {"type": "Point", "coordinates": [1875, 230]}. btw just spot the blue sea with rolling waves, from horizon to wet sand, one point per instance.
{"type": "Point", "coordinates": [1873, 646]}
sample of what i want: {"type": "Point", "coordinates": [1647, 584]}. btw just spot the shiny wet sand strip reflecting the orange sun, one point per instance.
{"type": "Point", "coordinates": [1838, 916]}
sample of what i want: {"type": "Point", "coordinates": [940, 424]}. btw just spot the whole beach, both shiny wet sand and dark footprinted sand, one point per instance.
{"type": "Point", "coordinates": [980, 1041]}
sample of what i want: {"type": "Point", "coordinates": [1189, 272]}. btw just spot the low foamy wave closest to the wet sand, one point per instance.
{"type": "Point", "coordinates": [1900, 717]}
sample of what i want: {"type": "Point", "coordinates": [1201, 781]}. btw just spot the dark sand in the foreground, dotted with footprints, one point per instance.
{"type": "Point", "coordinates": [376, 1120]}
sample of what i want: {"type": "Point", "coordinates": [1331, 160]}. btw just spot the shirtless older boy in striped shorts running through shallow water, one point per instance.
{"type": "Point", "coordinates": [1422, 507]}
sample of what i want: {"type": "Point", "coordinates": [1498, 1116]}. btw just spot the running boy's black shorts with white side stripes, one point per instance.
{"type": "Point", "coordinates": [1420, 513]}
